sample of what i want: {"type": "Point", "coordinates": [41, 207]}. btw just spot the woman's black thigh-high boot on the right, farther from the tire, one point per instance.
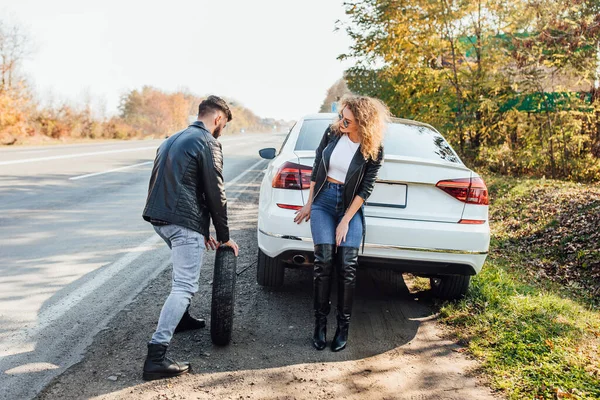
{"type": "Point", "coordinates": [346, 262]}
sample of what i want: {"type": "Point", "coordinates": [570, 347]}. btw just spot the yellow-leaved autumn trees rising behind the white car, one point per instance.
{"type": "Point", "coordinates": [479, 70]}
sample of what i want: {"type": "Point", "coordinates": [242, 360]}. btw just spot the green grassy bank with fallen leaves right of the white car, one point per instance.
{"type": "Point", "coordinates": [533, 314]}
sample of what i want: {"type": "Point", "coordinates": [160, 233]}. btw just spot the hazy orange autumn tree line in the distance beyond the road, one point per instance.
{"type": "Point", "coordinates": [144, 112]}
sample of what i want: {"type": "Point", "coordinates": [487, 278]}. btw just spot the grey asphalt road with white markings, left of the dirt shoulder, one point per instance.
{"type": "Point", "coordinates": [74, 250]}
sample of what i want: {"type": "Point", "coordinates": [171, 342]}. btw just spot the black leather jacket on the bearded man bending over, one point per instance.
{"type": "Point", "coordinates": [186, 186]}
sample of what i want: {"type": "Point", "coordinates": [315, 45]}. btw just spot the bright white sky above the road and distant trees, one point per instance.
{"type": "Point", "coordinates": [276, 57]}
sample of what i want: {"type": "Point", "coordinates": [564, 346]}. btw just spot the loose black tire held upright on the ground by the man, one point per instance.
{"type": "Point", "coordinates": [223, 296]}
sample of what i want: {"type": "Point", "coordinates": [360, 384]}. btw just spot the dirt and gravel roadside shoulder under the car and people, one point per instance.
{"type": "Point", "coordinates": [396, 350]}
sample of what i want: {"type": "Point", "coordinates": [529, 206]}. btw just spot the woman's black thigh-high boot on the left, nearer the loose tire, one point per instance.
{"type": "Point", "coordinates": [322, 288]}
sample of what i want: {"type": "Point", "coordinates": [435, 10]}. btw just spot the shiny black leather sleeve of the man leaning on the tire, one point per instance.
{"type": "Point", "coordinates": [214, 188]}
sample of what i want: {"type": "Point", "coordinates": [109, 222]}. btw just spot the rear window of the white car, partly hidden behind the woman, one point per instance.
{"type": "Point", "coordinates": [400, 140]}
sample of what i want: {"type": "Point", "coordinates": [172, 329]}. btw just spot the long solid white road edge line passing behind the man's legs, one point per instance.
{"type": "Point", "coordinates": [52, 313]}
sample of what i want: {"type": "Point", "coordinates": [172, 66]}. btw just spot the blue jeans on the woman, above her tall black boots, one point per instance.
{"type": "Point", "coordinates": [326, 213]}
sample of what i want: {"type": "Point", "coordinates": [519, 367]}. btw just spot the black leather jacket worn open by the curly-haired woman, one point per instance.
{"type": "Point", "coordinates": [361, 176]}
